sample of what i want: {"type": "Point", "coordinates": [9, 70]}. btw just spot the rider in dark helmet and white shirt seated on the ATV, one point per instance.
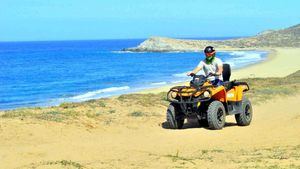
{"type": "Point", "coordinates": [211, 66]}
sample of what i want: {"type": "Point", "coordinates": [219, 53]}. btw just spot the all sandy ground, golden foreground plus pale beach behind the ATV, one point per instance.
{"type": "Point", "coordinates": [131, 134]}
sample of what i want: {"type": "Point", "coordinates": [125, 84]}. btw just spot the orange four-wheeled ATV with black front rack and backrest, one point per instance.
{"type": "Point", "coordinates": [208, 103]}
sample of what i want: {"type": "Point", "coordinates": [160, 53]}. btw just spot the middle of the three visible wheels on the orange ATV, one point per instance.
{"type": "Point", "coordinates": [216, 115]}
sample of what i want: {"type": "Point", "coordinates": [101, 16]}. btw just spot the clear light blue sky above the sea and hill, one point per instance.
{"type": "Point", "coordinates": [22, 20]}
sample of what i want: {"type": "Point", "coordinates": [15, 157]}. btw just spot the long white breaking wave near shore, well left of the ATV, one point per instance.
{"type": "Point", "coordinates": [93, 94]}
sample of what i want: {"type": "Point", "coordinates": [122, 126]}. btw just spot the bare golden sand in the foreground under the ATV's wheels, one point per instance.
{"type": "Point", "coordinates": [272, 139]}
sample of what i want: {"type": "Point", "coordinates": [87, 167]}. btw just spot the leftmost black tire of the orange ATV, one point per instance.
{"type": "Point", "coordinates": [174, 118]}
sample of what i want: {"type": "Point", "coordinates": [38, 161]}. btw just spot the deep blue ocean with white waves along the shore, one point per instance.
{"type": "Point", "coordinates": [49, 73]}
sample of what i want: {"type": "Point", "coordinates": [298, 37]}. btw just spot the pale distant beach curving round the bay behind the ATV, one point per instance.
{"type": "Point", "coordinates": [280, 62]}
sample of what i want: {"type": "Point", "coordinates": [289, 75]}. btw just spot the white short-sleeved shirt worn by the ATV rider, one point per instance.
{"type": "Point", "coordinates": [211, 68]}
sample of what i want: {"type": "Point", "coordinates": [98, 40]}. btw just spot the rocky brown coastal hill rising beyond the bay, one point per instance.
{"type": "Point", "coordinates": [289, 37]}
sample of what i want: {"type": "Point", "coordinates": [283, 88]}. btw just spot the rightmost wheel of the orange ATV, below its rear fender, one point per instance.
{"type": "Point", "coordinates": [244, 118]}
